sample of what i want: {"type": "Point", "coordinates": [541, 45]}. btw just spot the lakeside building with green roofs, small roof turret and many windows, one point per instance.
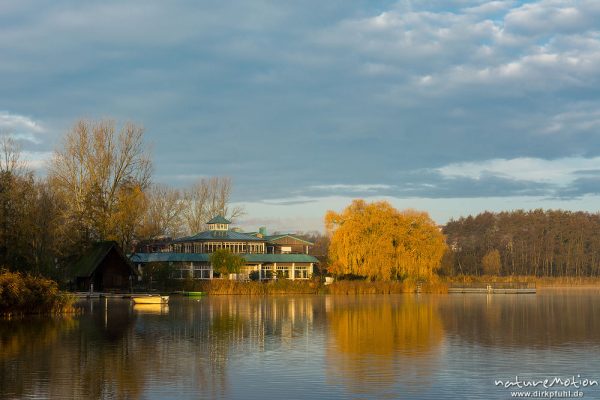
{"type": "Point", "coordinates": [266, 257]}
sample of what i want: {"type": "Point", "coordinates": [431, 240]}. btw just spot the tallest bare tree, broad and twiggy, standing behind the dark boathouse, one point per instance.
{"type": "Point", "coordinates": [95, 174]}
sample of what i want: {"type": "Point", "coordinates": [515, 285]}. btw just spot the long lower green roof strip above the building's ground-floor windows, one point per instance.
{"type": "Point", "coordinates": [205, 257]}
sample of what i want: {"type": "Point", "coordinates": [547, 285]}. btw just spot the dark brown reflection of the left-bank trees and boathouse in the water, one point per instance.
{"type": "Point", "coordinates": [72, 357]}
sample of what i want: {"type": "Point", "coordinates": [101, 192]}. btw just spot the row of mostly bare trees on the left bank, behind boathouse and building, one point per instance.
{"type": "Point", "coordinates": [98, 187]}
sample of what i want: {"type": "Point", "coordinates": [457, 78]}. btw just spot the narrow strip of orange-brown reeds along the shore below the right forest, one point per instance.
{"type": "Point", "coordinates": [540, 282]}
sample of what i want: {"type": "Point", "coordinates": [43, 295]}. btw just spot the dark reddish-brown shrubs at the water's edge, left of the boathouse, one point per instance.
{"type": "Point", "coordinates": [24, 294]}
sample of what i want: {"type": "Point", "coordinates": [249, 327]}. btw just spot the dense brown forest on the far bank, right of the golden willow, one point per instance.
{"type": "Point", "coordinates": [551, 243]}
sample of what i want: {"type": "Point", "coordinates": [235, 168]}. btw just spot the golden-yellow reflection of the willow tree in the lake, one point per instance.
{"type": "Point", "coordinates": [377, 342]}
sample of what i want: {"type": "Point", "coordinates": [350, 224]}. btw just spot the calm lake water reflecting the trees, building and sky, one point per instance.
{"type": "Point", "coordinates": [306, 347]}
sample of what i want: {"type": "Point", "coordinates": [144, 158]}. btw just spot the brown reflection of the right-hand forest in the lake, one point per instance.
{"type": "Point", "coordinates": [551, 318]}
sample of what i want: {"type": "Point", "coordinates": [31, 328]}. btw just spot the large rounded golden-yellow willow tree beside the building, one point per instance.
{"type": "Point", "coordinates": [377, 241]}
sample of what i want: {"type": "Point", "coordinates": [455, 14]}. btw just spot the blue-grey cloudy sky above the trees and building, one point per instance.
{"type": "Point", "coordinates": [448, 106]}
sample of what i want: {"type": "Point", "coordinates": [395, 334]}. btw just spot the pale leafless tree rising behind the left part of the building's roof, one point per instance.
{"type": "Point", "coordinates": [206, 199]}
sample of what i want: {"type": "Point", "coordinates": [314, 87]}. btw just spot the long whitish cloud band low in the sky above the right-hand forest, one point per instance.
{"type": "Point", "coordinates": [562, 171]}
